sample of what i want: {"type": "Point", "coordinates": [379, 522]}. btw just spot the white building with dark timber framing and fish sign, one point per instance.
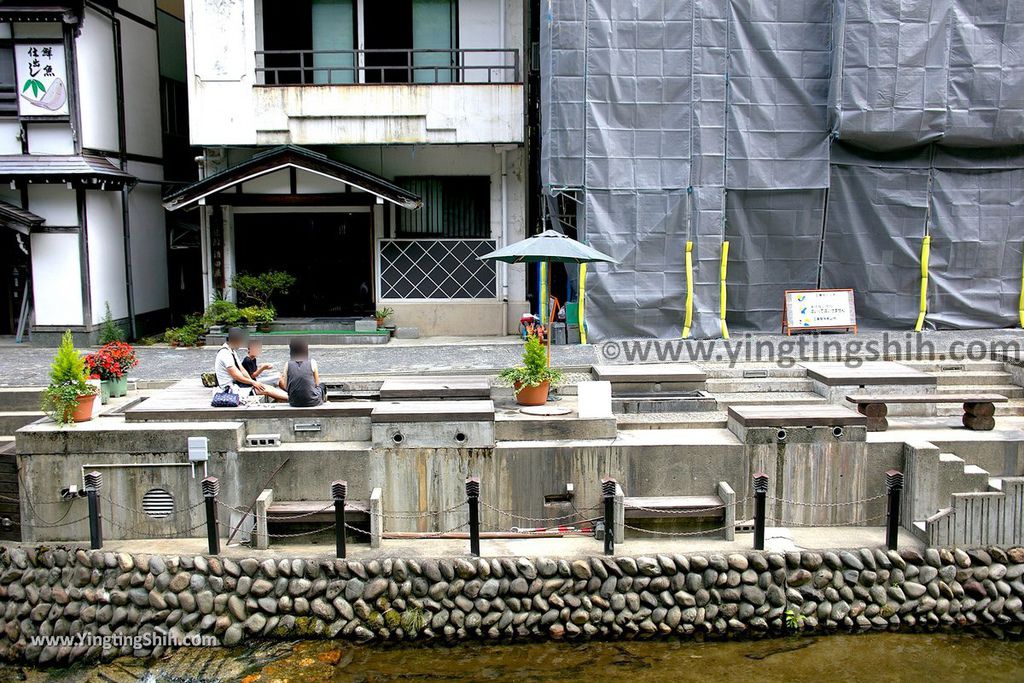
{"type": "Point", "coordinates": [81, 165]}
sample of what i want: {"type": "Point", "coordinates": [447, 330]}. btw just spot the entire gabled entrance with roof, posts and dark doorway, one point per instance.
{"type": "Point", "coordinates": [296, 210]}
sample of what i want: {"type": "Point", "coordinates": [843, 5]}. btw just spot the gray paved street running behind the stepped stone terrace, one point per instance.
{"type": "Point", "coordinates": [27, 365]}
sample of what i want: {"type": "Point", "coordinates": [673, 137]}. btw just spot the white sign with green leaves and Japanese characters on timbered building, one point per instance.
{"type": "Point", "coordinates": [42, 78]}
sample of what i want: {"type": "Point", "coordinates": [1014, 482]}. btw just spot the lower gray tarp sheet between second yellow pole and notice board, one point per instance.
{"type": "Point", "coordinates": [775, 244]}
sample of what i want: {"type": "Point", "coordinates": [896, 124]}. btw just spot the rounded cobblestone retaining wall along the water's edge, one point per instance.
{"type": "Point", "coordinates": [65, 592]}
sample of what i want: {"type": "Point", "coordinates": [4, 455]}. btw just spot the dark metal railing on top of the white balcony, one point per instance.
{"type": "Point", "coordinates": [388, 66]}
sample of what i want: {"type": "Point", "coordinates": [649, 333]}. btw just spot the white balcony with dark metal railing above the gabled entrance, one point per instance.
{"type": "Point", "coordinates": [389, 97]}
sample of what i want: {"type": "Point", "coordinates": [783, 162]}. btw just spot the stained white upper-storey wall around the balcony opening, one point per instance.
{"type": "Point", "coordinates": [222, 39]}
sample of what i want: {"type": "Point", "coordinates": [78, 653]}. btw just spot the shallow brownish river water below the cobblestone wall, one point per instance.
{"type": "Point", "coordinates": [875, 658]}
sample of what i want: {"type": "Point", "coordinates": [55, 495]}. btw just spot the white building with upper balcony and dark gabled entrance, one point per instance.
{"type": "Point", "coordinates": [371, 149]}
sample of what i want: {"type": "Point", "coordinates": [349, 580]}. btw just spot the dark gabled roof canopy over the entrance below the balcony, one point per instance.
{"type": "Point", "coordinates": [285, 157]}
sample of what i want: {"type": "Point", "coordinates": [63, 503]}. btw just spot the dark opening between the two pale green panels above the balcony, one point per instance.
{"type": "Point", "coordinates": [388, 26]}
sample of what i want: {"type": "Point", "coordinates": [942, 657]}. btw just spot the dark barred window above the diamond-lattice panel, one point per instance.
{"type": "Point", "coordinates": [453, 207]}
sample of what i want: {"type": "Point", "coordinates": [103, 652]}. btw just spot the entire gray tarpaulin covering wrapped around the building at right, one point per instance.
{"type": "Point", "coordinates": [655, 113]}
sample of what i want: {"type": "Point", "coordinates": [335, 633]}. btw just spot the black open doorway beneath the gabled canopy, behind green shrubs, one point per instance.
{"type": "Point", "coordinates": [330, 254]}
